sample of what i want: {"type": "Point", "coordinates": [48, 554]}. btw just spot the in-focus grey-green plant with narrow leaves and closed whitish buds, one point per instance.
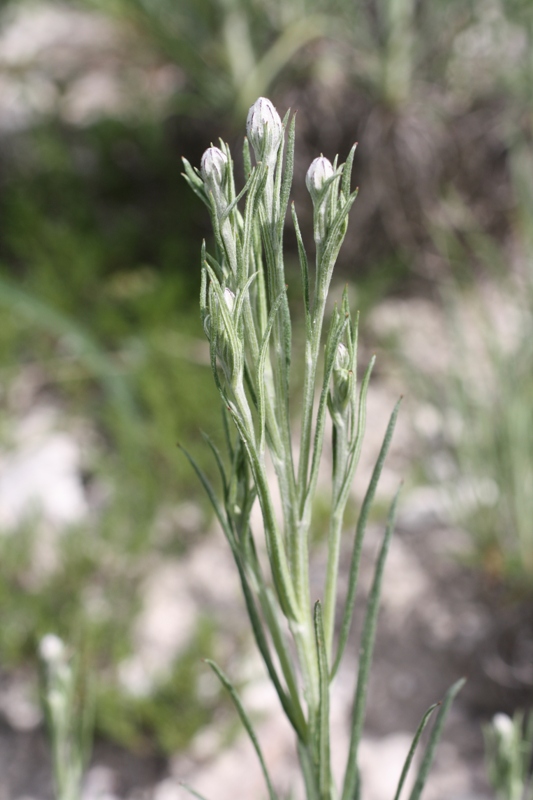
{"type": "Point", "coordinates": [246, 318]}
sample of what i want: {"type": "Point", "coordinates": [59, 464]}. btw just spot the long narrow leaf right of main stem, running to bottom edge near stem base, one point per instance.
{"type": "Point", "coordinates": [366, 652]}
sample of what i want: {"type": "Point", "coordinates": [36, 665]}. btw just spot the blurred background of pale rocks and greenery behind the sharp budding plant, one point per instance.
{"type": "Point", "coordinates": [105, 537]}
